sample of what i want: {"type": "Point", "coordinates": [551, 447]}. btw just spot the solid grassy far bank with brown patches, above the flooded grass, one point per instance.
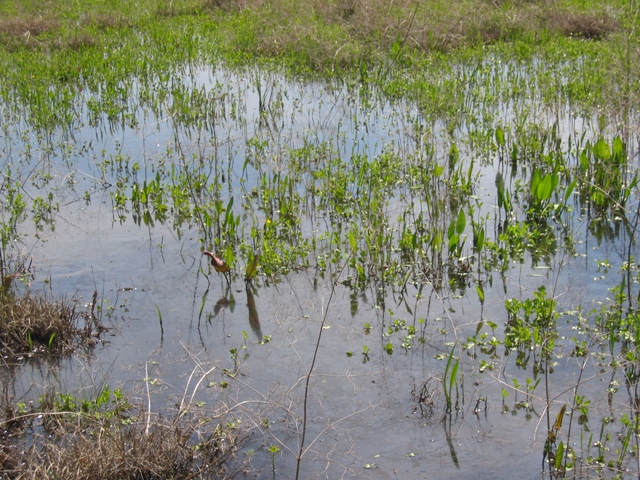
{"type": "Point", "coordinates": [310, 36]}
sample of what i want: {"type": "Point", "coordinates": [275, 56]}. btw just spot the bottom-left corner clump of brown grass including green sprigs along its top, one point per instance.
{"type": "Point", "coordinates": [106, 437]}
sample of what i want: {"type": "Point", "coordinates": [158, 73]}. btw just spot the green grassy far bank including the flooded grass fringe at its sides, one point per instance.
{"type": "Point", "coordinates": [584, 53]}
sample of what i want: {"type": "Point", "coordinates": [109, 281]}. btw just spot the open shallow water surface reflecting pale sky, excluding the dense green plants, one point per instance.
{"type": "Point", "coordinates": [166, 318]}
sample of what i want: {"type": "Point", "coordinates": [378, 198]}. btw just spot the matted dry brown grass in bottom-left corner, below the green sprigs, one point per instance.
{"type": "Point", "coordinates": [191, 446]}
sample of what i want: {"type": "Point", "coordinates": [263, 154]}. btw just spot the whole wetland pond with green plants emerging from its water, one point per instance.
{"type": "Point", "coordinates": [465, 292]}
